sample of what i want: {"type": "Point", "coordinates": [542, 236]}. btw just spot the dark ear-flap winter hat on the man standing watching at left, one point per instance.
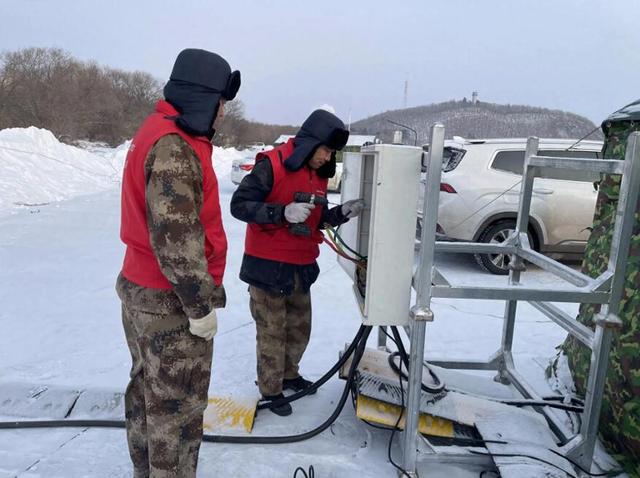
{"type": "Point", "coordinates": [198, 80]}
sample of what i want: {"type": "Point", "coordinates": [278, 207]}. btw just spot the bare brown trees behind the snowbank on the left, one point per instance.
{"type": "Point", "coordinates": [47, 88]}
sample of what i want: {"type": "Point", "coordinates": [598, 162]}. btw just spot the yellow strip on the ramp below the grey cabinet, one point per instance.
{"type": "Point", "coordinates": [383, 413]}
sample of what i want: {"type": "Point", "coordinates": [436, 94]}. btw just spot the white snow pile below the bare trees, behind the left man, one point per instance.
{"type": "Point", "coordinates": [37, 169]}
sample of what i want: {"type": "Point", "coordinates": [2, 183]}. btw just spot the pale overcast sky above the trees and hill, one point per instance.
{"type": "Point", "coordinates": [578, 56]}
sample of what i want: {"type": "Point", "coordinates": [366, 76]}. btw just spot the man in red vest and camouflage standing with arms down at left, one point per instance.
{"type": "Point", "coordinates": [171, 279]}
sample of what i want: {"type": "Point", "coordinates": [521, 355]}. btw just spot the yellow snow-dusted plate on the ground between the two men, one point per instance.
{"type": "Point", "coordinates": [226, 413]}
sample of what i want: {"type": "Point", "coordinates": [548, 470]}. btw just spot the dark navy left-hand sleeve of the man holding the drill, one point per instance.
{"type": "Point", "coordinates": [247, 203]}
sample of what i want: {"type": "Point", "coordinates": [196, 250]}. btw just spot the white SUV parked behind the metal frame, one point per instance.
{"type": "Point", "coordinates": [480, 191]}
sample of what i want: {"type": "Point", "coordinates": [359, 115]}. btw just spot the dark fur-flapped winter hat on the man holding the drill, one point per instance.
{"type": "Point", "coordinates": [320, 128]}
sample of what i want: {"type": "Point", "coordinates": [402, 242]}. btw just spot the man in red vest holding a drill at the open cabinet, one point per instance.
{"type": "Point", "coordinates": [283, 201]}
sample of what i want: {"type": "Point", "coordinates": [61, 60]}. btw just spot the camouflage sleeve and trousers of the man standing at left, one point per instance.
{"type": "Point", "coordinates": [171, 368]}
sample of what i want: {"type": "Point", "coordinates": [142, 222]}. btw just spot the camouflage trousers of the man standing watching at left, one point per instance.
{"type": "Point", "coordinates": [167, 395]}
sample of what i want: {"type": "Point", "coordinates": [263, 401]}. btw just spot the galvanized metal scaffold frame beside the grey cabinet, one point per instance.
{"type": "Point", "coordinates": [606, 290]}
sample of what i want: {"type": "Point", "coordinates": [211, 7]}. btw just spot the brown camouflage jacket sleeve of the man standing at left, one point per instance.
{"type": "Point", "coordinates": [174, 195]}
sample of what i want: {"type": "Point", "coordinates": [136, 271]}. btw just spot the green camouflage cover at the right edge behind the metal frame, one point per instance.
{"type": "Point", "coordinates": [620, 419]}
